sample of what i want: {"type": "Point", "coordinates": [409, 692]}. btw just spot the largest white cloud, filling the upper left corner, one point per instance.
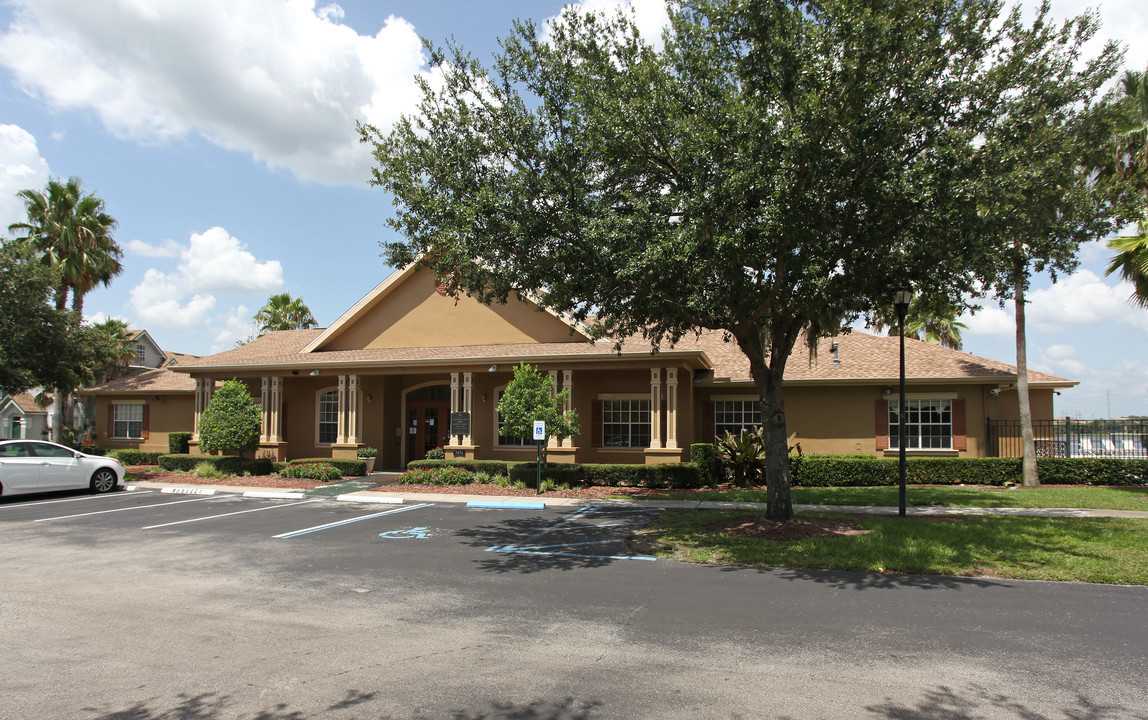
{"type": "Point", "coordinates": [281, 81]}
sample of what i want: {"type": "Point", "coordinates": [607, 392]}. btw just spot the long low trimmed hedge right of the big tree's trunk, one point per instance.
{"type": "Point", "coordinates": [867, 471]}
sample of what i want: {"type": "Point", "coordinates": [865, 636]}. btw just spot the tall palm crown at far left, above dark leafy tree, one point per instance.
{"type": "Point", "coordinates": [71, 231]}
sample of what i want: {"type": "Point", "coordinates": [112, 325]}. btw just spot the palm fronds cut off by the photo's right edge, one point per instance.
{"type": "Point", "coordinates": [1131, 259]}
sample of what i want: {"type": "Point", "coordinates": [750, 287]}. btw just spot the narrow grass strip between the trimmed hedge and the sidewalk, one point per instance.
{"type": "Point", "coordinates": [971, 497]}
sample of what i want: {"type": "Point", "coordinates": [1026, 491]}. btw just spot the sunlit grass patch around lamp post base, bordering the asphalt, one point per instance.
{"type": "Point", "coordinates": [1112, 551]}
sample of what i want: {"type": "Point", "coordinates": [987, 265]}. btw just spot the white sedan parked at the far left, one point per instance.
{"type": "Point", "coordinates": [38, 467]}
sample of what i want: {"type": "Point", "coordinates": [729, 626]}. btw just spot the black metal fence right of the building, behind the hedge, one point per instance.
{"type": "Point", "coordinates": [1121, 439]}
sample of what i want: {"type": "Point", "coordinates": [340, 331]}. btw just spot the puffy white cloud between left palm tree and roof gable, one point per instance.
{"type": "Point", "coordinates": [213, 262]}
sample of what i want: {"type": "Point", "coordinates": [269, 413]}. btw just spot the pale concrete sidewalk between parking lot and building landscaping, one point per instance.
{"type": "Point", "coordinates": [705, 505]}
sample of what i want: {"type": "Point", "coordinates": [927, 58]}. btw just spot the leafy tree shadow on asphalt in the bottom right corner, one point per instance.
{"type": "Point", "coordinates": [945, 703]}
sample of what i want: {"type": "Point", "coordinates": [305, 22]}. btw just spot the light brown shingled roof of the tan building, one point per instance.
{"type": "Point", "coordinates": [863, 358]}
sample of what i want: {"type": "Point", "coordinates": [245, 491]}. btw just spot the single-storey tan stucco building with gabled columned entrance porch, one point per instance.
{"type": "Point", "coordinates": [394, 369]}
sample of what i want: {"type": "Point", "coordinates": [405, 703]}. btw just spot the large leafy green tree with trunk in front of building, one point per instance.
{"type": "Point", "coordinates": [777, 171]}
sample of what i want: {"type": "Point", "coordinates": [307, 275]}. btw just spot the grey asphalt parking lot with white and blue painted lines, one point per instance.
{"type": "Point", "coordinates": [149, 605]}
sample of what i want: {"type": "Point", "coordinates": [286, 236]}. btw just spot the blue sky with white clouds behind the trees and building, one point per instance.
{"type": "Point", "coordinates": [221, 134]}
